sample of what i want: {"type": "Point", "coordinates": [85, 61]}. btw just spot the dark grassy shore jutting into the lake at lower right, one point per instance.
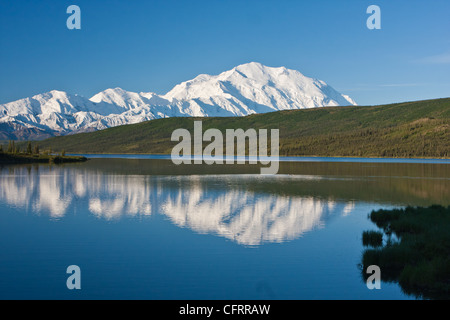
{"type": "Point", "coordinates": [419, 256]}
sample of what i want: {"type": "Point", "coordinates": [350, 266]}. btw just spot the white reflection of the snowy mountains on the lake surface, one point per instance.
{"type": "Point", "coordinates": [205, 204]}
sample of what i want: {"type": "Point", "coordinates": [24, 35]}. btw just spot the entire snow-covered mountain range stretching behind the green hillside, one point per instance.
{"type": "Point", "coordinates": [246, 89]}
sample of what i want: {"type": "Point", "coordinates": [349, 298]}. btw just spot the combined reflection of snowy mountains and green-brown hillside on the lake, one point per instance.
{"type": "Point", "coordinates": [249, 209]}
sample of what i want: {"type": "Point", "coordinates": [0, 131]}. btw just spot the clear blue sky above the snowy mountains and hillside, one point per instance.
{"type": "Point", "coordinates": [153, 45]}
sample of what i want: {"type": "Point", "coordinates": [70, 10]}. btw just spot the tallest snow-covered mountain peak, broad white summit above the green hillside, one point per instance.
{"type": "Point", "coordinates": [257, 88]}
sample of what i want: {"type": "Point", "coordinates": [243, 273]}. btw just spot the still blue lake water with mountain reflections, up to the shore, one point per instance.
{"type": "Point", "coordinates": [142, 228]}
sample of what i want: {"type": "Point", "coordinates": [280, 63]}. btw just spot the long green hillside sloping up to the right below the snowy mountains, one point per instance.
{"type": "Point", "coordinates": [410, 129]}
